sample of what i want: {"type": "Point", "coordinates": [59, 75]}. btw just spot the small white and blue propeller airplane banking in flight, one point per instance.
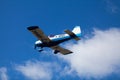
{"type": "Point", "coordinates": [53, 41]}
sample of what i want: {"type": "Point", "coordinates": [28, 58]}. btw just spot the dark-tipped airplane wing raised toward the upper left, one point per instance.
{"type": "Point", "coordinates": [38, 33]}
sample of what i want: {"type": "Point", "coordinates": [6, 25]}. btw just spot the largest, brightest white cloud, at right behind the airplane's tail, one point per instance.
{"type": "Point", "coordinates": [97, 56]}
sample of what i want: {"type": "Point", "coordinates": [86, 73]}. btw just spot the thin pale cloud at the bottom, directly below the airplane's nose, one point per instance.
{"type": "Point", "coordinates": [35, 70]}
